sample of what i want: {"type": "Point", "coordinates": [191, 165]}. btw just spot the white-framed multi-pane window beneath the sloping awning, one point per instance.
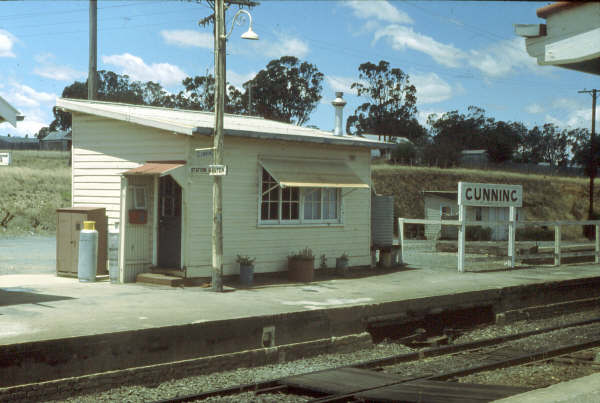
{"type": "Point", "coordinates": [295, 205]}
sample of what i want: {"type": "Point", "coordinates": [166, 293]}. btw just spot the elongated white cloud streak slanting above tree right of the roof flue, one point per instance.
{"type": "Point", "coordinates": [401, 37]}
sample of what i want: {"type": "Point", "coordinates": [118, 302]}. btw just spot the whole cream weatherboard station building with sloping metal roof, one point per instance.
{"type": "Point", "coordinates": [287, 187]}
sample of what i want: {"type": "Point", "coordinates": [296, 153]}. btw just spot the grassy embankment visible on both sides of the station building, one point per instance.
{"type": "Point", "coordinates": [38, 182]}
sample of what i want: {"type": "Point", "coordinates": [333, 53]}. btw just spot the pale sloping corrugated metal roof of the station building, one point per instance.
{"type": "Point", "coordinates": [196, 122]}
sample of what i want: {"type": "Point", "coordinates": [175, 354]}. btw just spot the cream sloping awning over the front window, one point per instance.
{"type": "Point", "coordinates": [312, 173]}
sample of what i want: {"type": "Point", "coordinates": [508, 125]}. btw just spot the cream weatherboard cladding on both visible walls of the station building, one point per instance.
{"type": "Point", "coordinates": [103, 149]}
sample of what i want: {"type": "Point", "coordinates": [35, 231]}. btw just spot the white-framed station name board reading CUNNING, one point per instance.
{"type": "Point", "coordinates": [489, 195]}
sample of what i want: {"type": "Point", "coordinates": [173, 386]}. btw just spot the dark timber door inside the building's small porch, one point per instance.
{"type": "Point", "coordinates": [169, 223]}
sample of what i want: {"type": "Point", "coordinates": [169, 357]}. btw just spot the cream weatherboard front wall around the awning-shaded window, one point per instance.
{"type": "Point", "coordinates": [271, 245]}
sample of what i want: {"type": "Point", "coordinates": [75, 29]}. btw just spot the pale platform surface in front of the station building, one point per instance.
{"type": "Point", "coordinates": [42, 306]}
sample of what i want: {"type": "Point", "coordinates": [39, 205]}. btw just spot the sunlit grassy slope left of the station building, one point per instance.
{"type": "Point", "coordinates": [32, 188]}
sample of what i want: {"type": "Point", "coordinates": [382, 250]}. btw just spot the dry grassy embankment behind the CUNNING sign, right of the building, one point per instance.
{"type": "Point", "coordinates": [547, 197]}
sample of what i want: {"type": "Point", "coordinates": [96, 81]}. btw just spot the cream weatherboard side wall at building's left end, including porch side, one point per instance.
{"type": "Point", "coordinates": [102, 150]}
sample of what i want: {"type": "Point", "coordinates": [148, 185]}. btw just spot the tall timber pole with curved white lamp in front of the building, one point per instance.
{"type": "Point", "coordinates": [220, 83]}
